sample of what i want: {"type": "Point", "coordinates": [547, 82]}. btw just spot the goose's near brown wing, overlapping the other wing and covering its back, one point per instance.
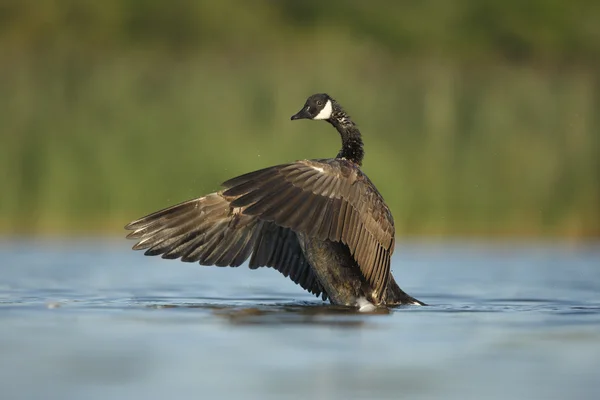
{"type": "Point", "coordinates": [328, 199]}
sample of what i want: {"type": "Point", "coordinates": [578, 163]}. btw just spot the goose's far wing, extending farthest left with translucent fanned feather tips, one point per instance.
{"type": "Point", "coordinates": [210, 231]}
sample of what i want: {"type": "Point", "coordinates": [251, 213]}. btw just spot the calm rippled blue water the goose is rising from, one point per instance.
{"type": "Point", "coordinates": [90, 319]}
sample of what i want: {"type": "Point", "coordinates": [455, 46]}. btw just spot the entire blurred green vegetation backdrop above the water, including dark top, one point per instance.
{"type": "Point", "coordinates": [479, 117]}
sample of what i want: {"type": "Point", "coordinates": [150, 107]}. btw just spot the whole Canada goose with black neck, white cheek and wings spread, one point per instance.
{"type": "Point", "coordinates": [320, 222]}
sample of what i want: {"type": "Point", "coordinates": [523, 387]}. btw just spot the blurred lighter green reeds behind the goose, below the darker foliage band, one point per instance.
{"type": "Point", "coordinates": [87, 145]}
